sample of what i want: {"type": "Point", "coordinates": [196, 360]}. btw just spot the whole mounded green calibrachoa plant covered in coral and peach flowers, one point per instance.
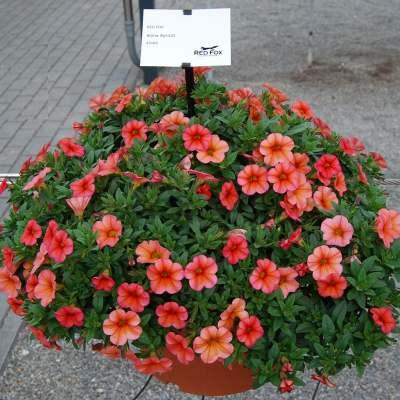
{"type": "Point", "coordinates": [249, 233]}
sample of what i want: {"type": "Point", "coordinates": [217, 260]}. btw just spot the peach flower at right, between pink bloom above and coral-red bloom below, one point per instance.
{"type": "Point", "coordinates": [325, 261]}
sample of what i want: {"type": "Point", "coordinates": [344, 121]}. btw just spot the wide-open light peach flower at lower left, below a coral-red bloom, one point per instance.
{"type": "Point", "coordinates": [122, 326]}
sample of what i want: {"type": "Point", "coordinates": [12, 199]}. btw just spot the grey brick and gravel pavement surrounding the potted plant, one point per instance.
{"type": "Point", "coordinates": [46, 78]}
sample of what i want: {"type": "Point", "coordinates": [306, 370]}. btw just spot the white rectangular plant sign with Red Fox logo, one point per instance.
{"type": "Point", "coordinates": [201, 38]}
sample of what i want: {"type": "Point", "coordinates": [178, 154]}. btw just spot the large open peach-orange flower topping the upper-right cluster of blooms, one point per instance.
{"type": "Point", "coordinates": [277, 148]}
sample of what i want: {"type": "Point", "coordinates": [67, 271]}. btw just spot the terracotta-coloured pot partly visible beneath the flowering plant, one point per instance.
{"type": "Point", "coordinates": [208, 379]}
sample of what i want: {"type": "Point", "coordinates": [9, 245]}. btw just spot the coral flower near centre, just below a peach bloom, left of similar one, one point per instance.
{"type": "Point", "coordinates": [165, 276]}
